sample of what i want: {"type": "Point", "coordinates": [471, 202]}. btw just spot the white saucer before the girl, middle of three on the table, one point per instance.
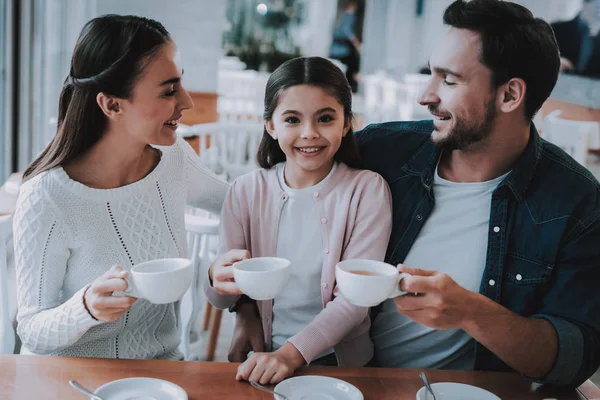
{"type": "Point", "coordinates": [317, 388]}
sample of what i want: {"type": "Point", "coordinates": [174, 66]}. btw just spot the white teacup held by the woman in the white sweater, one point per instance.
{"type": "Point", "coordinates": [160, 281]}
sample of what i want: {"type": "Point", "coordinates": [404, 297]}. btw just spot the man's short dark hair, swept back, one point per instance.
{"type": "Point", "coordinates": [514, 44]}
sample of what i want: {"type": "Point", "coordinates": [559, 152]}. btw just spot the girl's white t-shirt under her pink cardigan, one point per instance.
{"type": "Point", "coordinates": [300, 240]}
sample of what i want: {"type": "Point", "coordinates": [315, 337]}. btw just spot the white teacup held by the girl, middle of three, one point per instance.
{"type": "Point", "coordinates": [262, 278]}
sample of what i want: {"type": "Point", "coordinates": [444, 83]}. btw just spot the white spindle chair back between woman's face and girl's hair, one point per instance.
{"type": "Point", "coordinates": [237, 144]}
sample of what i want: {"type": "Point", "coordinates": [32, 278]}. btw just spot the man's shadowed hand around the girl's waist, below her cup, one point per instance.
{"type": "Point", "coordinates": [248, 333]}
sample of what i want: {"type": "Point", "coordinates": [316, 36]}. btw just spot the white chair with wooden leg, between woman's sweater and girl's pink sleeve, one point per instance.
{"type": "Point", "coordinates": [200, 230]}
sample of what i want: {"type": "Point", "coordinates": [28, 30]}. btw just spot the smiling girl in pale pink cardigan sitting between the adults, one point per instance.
{"type": "Point", "coordinates": [312, 205]}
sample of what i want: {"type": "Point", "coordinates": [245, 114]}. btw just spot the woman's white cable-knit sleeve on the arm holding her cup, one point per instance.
{"type": "Point", "coordinates": [46, 322]}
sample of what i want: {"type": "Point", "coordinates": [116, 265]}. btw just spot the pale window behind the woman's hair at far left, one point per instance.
{"type": "Point", "coordinates": [48, 32]}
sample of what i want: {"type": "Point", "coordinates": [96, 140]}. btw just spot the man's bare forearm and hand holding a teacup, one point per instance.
{"type": "Point", "coordinates": [525, 344]}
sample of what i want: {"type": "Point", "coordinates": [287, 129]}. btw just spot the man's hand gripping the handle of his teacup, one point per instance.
{"type": "Point", "coordinates": [441, 303]}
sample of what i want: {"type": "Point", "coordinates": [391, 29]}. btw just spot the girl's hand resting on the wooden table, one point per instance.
{"type": "Point", "coordinates": [271, 368]}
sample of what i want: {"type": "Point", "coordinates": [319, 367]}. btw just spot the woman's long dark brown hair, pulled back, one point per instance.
{"type": "Point", "coordinates": [109, 57]}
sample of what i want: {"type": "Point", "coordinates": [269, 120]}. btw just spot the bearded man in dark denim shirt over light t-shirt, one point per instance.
{"type": "Point", "coordinates": [503, 226]}
